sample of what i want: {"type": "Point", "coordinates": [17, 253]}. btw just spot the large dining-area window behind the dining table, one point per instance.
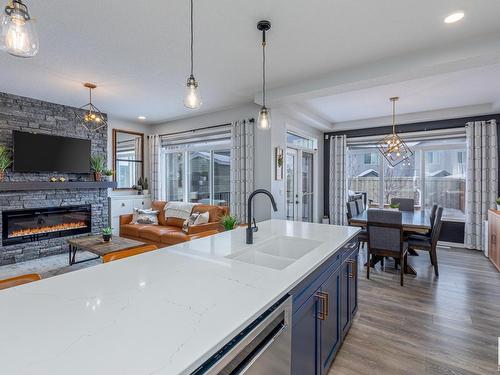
{"type": "Point", "coordinates": [434, 175]}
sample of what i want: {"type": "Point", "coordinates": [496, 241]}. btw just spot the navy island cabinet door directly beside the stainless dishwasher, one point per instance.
{"type": "Point", "coordinates": [304, 339]}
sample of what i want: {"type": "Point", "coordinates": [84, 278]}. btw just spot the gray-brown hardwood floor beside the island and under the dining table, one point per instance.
{"type": "Point", "coordinates": [445, 325]}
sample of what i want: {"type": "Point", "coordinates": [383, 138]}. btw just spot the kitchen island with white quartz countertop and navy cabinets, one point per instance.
{"type": "Point", "coordinates": [169, 311]}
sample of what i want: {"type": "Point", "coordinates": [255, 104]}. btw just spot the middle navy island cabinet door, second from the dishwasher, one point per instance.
{"type": "Point", "coordinates": [328, 318]}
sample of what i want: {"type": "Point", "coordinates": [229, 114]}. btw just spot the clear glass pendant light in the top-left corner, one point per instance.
{"type": "Point", "coordinates": [17, 30]}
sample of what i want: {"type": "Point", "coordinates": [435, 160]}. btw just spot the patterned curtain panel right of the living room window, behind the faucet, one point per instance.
{"type": "Point", "coordinates": [242, 167]}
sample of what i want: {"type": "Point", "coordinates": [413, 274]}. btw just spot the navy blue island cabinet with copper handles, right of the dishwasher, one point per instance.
{"type": "Point", "coordinates": [324, 306]}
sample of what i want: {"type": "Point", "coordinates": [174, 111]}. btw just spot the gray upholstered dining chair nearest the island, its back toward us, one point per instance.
{"type": "Point", "coordinates": [385, 238]}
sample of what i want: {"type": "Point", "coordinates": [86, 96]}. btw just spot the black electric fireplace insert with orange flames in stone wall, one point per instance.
{"type": "Point", "coordinates": [29, 225]}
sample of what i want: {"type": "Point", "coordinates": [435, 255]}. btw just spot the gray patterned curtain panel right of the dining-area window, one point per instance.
{"type": "Point", "coordinates": [481, 188]}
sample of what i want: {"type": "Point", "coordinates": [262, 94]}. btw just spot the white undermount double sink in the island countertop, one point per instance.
{"type": "Point", "coordinates": [276, 252]}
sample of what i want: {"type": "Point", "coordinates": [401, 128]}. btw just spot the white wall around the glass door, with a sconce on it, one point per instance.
{"type": "Point", "coordinates": [281, 122]}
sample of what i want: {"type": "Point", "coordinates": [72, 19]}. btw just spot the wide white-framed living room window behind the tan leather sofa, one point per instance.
{"type": "Point", "coordinates": [198, 170]}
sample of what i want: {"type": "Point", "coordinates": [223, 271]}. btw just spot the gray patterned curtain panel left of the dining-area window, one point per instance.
{"type": "Point", "coordinates": [338, 180]}
